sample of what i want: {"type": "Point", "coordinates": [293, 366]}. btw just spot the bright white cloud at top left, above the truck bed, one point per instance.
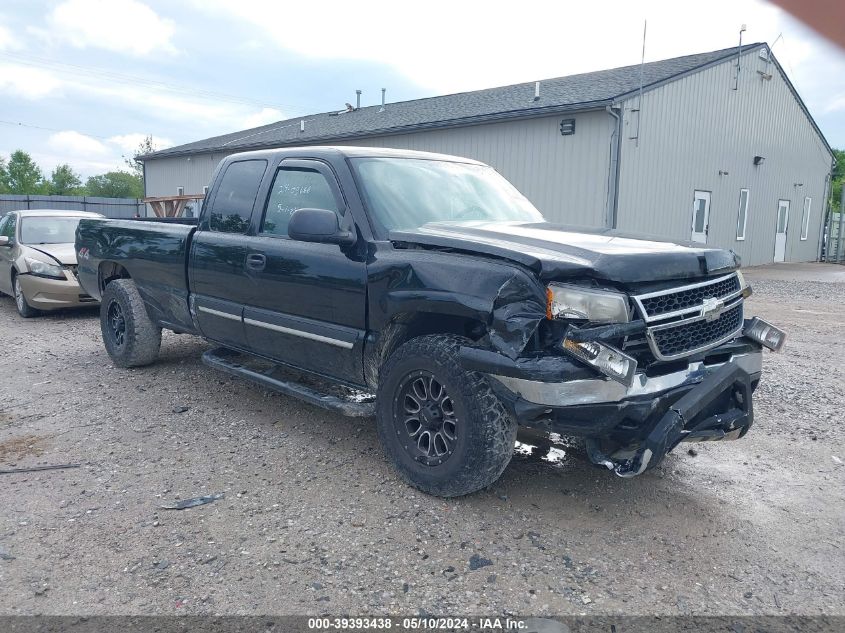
{"type": "Point", "coordinates": [123, 26]}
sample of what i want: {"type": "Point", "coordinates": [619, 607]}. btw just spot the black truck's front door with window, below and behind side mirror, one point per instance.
{"type": "Point", "coordinates": [310, 311]}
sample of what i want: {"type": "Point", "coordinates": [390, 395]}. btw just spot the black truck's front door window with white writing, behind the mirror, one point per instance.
{"type": "Point", "coordinates": [296, 188]}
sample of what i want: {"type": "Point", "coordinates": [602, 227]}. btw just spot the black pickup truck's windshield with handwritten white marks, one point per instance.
{"type": "Point", "coordinates": [406, 193]}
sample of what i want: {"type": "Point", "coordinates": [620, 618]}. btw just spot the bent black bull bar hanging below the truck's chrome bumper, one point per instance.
{"type": "Point", "coordinates": [718, 408]}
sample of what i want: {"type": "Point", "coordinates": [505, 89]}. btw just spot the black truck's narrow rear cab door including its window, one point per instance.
{"type": "Point", "coordinates": [217, 266]}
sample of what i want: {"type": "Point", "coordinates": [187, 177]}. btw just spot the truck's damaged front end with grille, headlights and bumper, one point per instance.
{"type": "Point", "coordinates": [681, 367]}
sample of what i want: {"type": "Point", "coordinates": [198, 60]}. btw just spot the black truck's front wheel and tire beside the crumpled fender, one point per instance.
{"type": "Point", "coordinates": [443, 428]}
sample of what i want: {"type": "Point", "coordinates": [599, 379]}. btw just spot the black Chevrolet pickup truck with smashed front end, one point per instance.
{"type": "Point", "coordinates": [425, 290]}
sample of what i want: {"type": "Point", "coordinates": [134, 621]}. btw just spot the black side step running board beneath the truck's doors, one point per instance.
{"type": "Point", "coordinates": [274, 377]}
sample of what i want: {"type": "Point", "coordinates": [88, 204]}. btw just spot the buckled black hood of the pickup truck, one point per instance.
{"type": "Point", "coordinates": [556, 251]}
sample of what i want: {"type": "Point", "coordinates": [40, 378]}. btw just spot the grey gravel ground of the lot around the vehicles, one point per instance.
{"type": "Point", "coordinates": [315, 521]}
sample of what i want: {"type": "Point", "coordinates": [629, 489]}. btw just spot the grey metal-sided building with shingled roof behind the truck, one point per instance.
{"type": "Point", "coordinates": [716, 148]}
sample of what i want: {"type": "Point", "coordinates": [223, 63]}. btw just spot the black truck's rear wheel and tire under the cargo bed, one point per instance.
{"type": "Point", "coordinates": [129, 335]}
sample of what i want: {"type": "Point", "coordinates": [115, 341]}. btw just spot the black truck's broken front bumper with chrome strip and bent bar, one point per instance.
{"type": "Point", "coordinates": [630, 429]}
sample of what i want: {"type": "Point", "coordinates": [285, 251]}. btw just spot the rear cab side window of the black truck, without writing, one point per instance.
{"type": "Point", "coordinates": [231, 209]}
